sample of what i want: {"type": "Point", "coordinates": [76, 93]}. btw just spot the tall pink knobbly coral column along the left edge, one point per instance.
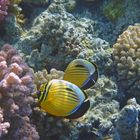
{"type": "Point", "coordinates": [16, 85]}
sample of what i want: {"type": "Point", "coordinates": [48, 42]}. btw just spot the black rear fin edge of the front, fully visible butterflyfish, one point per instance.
{"type": "Point", "coordinates": [80, 111]}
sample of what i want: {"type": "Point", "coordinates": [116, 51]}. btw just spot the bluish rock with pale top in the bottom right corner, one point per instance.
{"type": "Point", "coordinates": [127, 121]}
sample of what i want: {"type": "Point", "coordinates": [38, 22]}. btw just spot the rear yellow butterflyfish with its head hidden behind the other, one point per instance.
{"type": "Point", "coordinates": [82, 73]}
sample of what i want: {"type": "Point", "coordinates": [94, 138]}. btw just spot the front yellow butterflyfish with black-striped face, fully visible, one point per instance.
{"type": "Point", "coordinates": [63, 99]}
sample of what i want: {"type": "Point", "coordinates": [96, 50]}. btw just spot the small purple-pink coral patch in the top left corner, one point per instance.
{"type": "Point", "coordinates": [3, 8]}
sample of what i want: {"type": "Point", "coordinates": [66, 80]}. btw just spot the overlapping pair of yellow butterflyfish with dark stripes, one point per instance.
{"type": "Point", "coordinates": [66, 98]}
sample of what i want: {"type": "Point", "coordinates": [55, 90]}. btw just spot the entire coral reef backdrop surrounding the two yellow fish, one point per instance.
{"type": "Point", "coordinates": [39, 38]}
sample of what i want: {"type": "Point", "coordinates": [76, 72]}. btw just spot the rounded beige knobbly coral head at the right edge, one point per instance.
{"type": "Point", "coordinates": [126, 53]}
